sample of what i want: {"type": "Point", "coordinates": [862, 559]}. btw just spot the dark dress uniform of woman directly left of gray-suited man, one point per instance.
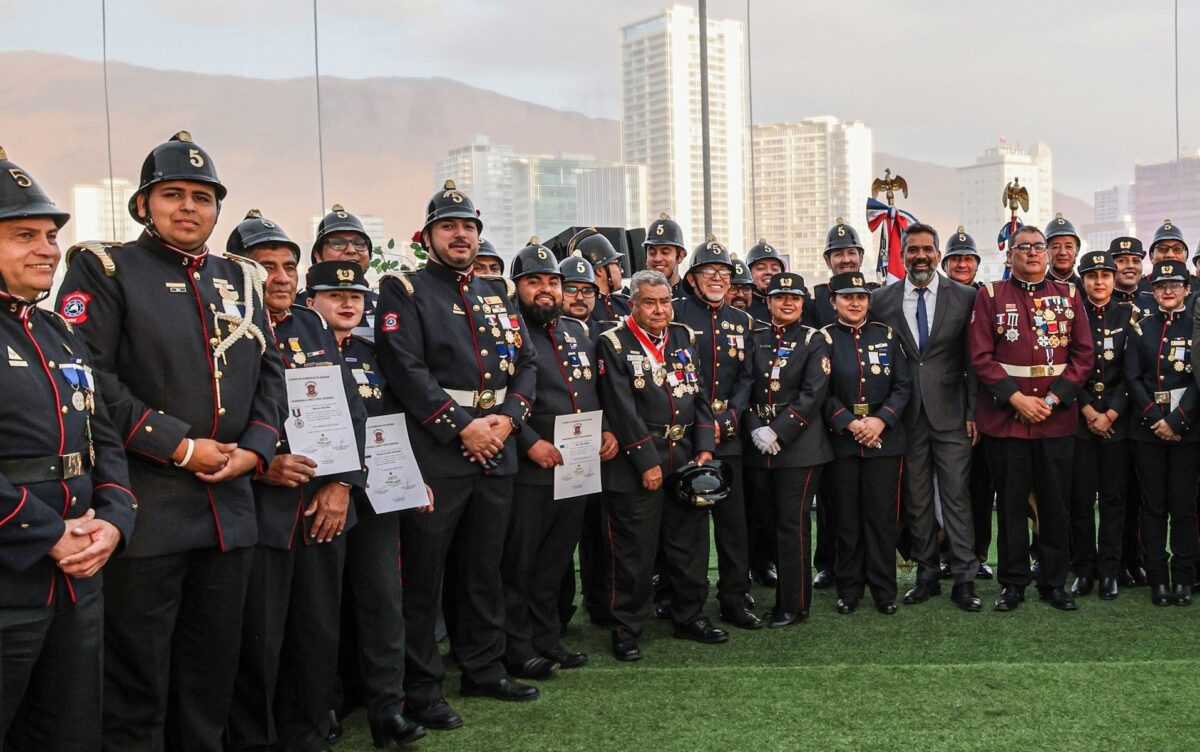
{"type": "Point", "coordinates": [871, 380]}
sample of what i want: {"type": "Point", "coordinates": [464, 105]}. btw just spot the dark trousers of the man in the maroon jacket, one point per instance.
{"type": "Point", "coordinates": [1042, 467]}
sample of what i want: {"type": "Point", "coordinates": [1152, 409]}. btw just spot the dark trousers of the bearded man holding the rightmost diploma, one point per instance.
{"type": "Point", "coordinates": [538, 550]}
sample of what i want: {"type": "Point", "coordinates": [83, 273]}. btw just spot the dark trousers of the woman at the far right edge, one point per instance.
{"type": "Point", "coordinates": [1168, 474]}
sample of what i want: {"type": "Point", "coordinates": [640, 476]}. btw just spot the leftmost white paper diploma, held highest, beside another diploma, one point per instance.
{"type": "Point", "coordinates": [319, 423]}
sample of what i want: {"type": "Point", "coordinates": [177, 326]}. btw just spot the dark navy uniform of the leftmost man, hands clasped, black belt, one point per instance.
{"type": "Point", "coordinates": [59, 458]}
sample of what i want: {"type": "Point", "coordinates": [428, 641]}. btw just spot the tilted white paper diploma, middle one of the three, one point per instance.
{"type": "Point", "coordinates": [394, 482]}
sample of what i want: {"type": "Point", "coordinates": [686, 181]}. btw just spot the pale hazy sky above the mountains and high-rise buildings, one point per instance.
{"type": "Point", "coordinates": [938, 81]}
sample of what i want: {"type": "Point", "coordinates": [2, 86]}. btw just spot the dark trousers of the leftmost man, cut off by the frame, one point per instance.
{"type": "Point", "coordinates": [51, 672]}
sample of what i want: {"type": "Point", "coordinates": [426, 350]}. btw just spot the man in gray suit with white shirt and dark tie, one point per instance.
{"type": "Point", "coordinates": [931, 315]}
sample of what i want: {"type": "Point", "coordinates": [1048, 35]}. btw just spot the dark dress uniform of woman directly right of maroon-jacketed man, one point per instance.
{"type": "Point", "coordinates": [1102, 464]}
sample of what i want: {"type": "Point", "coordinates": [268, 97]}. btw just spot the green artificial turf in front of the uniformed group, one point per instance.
{"type": "Point", "coordinates": [1113, 676]}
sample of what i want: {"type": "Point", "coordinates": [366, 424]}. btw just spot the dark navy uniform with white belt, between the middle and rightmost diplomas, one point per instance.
{"type": "Point", "coordinates": [454, 348]}
